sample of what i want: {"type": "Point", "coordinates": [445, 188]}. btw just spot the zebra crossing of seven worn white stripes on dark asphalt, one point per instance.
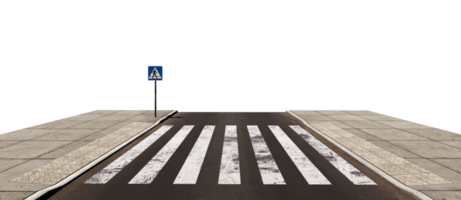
{"type": "Point", "coordinates": [230, 168]}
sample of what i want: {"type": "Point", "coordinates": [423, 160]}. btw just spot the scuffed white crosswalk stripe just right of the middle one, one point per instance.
{"type": "Point", "coordinates": [270, 173]}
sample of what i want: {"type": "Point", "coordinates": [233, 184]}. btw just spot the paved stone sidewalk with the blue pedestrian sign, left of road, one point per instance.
{"type": "Point", "coordinates": [39, 156]}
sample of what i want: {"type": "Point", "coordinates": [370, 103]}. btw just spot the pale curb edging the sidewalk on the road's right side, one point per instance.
{"type": "Point", "coordinates": [412, 192]}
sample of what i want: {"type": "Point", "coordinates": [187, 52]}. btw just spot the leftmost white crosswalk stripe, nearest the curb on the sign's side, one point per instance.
{"type": "Point", "coordinates": [116, 166]}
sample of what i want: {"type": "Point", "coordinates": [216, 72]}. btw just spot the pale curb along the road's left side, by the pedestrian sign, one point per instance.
{"type": "Point", "coordinates": [54, 188]}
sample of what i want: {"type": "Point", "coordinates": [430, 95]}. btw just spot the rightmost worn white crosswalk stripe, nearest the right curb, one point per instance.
{"type": "Point", "coordinates": [353, 174]}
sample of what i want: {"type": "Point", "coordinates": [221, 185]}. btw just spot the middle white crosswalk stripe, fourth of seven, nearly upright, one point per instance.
{"type": "Point", "coordinates": [230, 171]}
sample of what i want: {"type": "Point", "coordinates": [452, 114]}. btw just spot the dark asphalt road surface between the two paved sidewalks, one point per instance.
{"type": "Point", "coordinates": [213, 181]}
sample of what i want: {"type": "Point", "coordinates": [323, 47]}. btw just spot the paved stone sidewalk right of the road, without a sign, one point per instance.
{"type": "Point", "coordinates": [424, 158]}
